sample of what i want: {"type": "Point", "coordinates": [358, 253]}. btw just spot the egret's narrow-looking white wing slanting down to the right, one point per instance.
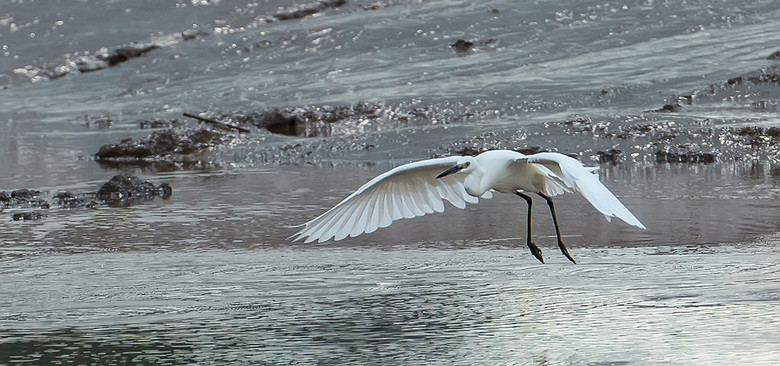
{"type": "Point", "coordinates": [582, 179]}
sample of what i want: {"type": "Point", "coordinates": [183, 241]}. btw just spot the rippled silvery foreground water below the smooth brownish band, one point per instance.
{"type": "Point", "coordinates": [480, 305]}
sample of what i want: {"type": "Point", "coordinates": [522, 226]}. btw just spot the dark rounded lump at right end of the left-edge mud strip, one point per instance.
{"type": "Point", "coordinates": [126, 189]}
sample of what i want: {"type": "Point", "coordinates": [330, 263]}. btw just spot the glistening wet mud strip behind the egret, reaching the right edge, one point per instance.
{"type": "Point", "coordinates": [616, 139]}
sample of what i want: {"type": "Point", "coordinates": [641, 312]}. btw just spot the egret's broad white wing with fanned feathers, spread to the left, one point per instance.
{"type": "Point", "coordinates": [406, 191]}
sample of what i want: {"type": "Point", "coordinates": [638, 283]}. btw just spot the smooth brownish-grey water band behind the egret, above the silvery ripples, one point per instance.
{"type": "Point", "coordinates": [681, 205]}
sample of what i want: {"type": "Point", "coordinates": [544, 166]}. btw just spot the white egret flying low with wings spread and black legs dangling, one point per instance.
{"type": "Point", "coordinates": [420, 188]}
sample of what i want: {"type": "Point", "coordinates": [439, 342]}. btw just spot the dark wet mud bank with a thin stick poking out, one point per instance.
{"type": "Point", "coordinates": [325, 129]}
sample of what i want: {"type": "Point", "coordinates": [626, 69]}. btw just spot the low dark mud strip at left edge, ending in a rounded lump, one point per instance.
{"type": "Point", "coordinates": [121, 190]}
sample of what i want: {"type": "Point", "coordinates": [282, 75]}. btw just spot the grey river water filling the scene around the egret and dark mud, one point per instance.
{"type": "Point", "coordinates": [208, 275]}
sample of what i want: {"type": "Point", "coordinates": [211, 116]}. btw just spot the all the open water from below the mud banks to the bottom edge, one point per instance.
{"type": "Point", "coordinates": [208, 277]}
